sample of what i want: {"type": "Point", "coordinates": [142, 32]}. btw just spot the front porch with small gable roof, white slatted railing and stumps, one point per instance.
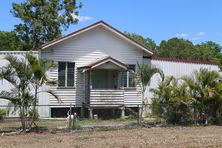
{"type": "Point", "coordinates": [110, 84]}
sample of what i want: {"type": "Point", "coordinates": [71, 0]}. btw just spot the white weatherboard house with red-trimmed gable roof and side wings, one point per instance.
{"type": "Point", "coordinates": [94, 72]}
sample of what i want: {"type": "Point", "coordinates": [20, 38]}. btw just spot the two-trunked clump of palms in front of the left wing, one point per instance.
{"type": "Point", "coordinates": [26, 74]}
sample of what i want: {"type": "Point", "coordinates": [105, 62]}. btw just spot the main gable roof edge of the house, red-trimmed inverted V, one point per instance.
{"type": "Point", "coordinates": [100, 23]}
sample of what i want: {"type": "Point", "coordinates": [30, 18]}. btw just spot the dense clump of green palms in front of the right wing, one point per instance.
{"type": "Point", "coordinates": [189, 99]}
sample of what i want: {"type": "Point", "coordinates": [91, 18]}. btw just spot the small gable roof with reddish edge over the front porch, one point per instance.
{"type": "Point", "coordinates": [104, 61]}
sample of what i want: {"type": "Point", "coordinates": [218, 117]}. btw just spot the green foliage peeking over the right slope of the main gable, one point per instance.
{"type": "Point", "coordinates": [147, 42]}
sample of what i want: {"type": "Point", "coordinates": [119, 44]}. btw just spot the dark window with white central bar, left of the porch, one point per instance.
{"type": "Point", "coordinates": [66, 71]}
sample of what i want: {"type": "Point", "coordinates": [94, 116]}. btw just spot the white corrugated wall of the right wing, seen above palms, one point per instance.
{"type": "Point", "coordinates": [172, 68]}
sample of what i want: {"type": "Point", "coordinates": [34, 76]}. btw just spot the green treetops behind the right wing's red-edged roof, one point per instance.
{"type": "Point", "coordinates": [185, 49]}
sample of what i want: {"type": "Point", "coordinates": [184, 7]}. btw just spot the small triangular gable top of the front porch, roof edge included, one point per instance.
{"type": "Point", "coordinates": [105, 63]}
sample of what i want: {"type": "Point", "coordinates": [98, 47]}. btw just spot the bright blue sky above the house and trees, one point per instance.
{"type": "Point", "coordinates": [196, 20]}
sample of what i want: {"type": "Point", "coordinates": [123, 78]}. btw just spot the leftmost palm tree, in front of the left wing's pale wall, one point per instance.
{"type": "Point", "coordinates": [18, 74]}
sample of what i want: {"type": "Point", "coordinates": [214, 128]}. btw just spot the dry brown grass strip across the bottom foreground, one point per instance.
{"type": "Point", "coordinates": [154, 137]}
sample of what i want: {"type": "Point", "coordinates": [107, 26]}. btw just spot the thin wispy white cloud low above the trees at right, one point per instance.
{"type": "Point", "coordinates": [193, 37]}
